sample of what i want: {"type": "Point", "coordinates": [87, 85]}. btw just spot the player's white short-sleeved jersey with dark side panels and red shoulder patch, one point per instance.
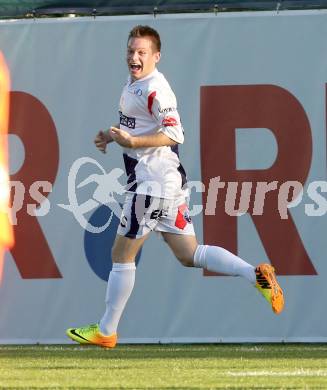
{"type": "Point", "coordinates": [148, 106]}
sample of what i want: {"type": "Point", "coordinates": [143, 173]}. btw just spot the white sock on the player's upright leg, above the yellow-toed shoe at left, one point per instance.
{"type": "Point", "coordinates": [120, 285]}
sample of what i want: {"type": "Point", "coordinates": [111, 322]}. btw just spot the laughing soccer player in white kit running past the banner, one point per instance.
{"type": "Point", "coordinates": [149, 132]}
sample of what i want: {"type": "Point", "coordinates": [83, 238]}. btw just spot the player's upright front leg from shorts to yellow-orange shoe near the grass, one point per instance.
{"type": "Point", "coordinates": [131, 234]}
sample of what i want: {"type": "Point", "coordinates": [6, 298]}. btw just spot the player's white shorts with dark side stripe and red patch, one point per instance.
{"type": "Point", "coordinates": [144, 213]}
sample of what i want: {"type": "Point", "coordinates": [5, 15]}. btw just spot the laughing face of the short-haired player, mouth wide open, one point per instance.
{"type": "Point", "coordinates": [141, 57]}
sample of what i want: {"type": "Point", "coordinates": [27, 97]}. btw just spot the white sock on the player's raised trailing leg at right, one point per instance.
{"type": "Point", "coordinates": [217, 259]}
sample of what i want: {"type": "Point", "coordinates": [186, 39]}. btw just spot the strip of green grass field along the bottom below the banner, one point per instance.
{"type": "Point", "coordinates": [246, 366]}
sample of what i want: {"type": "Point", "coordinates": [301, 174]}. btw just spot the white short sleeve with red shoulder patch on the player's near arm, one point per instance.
{"type": "Point", "coordinates": [163, 108]}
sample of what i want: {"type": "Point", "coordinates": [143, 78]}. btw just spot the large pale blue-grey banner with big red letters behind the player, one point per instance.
{"type": "Point", "coordinates": [251, 89]}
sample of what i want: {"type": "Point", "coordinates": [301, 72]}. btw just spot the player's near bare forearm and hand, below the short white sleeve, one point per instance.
{"type": "Point", "coordinates": [123, 138]}
